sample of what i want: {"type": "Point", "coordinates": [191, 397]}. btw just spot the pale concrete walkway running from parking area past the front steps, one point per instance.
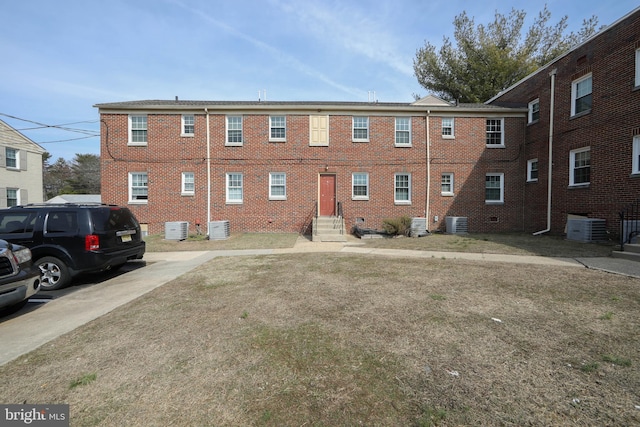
{"type": "Point", "coordinates": [30, 330]}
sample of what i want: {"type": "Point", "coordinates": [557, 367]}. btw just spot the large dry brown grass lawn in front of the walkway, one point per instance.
{"type": "Point", "coordinates": [341, 339]}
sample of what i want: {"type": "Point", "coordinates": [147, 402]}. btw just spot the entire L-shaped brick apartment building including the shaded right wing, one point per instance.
{"type": "Point", "coordinates": [273, 166]}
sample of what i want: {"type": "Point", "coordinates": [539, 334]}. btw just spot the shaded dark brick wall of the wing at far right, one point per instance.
{"type": "Point", "coordinates": [608, 129]}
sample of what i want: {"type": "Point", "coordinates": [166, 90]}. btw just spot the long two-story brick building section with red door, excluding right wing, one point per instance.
{"type": "Point", "coordinates": [272, 166]}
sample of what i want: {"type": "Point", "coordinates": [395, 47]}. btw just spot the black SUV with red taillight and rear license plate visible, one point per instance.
{"type": "Point", "coordinates": [69, 239]}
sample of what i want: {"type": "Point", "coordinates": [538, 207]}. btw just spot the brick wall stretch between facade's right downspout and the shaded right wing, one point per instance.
{"type": "Point", "coordinates": [468, 158]}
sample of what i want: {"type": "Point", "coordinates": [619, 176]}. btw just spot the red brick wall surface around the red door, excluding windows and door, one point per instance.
{"type": "Point", "coordinates": [167, 154]}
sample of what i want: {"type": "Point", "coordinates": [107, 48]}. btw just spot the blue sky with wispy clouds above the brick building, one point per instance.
{"type": "Point", "coordinates": [62, 57]}
